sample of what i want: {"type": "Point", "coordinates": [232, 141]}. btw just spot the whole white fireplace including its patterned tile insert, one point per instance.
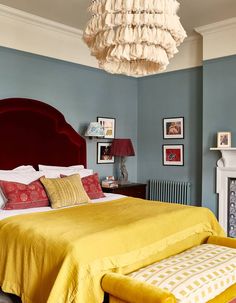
{"type": "Point", "coordinates": [226, 189]}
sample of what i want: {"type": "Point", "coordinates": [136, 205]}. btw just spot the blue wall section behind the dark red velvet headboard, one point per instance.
{"type": "Point", "coordinates": [80, 93]}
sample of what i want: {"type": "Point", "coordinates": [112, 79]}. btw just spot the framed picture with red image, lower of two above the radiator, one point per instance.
{"type": "Point", "coordinates": [173, 154]}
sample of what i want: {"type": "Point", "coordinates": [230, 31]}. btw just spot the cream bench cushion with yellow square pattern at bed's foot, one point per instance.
{"type": "Point", "coordinates": [196, 275]}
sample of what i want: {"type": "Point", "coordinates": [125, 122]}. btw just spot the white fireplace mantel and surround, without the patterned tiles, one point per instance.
{"type": "Point", "coordinates": [226, 168]}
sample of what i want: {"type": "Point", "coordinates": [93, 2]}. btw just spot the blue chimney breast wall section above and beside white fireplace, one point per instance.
{"type": "Point", "coordinates": [219, 114]}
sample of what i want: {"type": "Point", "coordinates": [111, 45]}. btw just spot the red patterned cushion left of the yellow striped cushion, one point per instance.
{"type": "Point", "coordinates": [20, 196]}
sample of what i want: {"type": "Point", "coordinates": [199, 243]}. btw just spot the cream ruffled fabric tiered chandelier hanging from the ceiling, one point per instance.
{"type": "Point", "coordinates": [134, 37]}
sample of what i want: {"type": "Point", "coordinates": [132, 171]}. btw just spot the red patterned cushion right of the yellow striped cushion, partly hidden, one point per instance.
{"type": "Point", "coordinates": [92, 186]}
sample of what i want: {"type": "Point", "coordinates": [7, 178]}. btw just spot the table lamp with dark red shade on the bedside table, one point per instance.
{"type": "Point", "coordinates": [122, 148]}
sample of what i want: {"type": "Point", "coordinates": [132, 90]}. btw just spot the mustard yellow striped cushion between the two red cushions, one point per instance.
{"type": "Point", "coordinates": [65, 191]}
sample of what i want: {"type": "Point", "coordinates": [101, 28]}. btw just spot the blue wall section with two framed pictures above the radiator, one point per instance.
{"type": "Point", "coordinates": [175, 94]}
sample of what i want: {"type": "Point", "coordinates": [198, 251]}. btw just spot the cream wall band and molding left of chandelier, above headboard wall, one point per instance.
{"type": "Point", "coordinates": [26, 32]}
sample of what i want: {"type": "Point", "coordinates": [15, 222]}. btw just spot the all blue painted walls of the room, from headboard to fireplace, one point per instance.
{"type": "Point", "coordinates": [205, 97]}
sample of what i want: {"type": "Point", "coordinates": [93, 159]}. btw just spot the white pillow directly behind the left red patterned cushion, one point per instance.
{"type": "Point", "coordinates": [24, 177]}
